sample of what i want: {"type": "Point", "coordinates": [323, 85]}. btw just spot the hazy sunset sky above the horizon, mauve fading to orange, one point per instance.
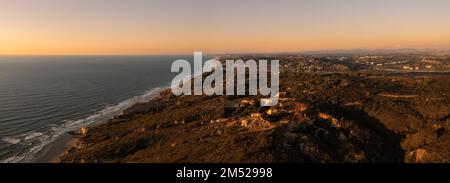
{"type": "Point", "coordinates": [103, 27]}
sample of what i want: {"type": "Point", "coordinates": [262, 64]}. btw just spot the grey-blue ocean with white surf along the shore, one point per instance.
{"type": "Point", "coordinates": [44, 97]}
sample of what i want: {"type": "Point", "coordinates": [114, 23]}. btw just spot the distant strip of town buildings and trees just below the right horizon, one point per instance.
{"type": "Point", "coordinates": [392, 62]}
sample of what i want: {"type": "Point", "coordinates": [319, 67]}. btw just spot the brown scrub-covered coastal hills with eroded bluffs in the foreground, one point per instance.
{"type": "Point", "coordinates": [354, 116]}
